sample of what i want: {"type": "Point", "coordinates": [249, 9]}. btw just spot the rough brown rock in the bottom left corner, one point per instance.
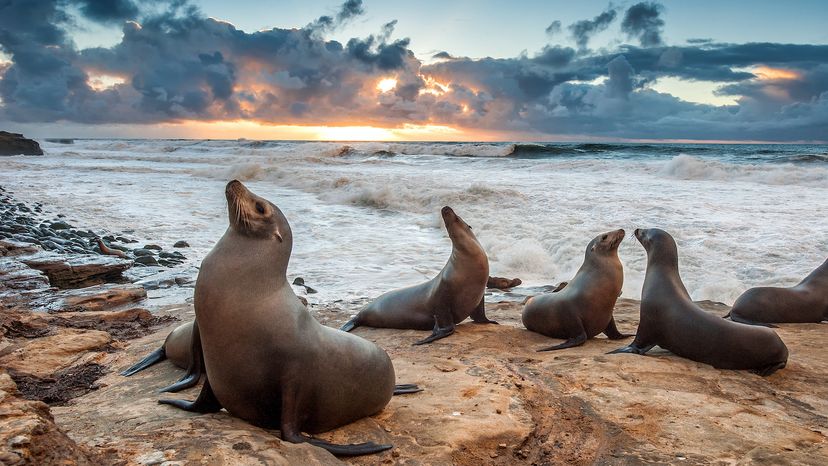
{"type": "Point", "coordinates": [29, 435]}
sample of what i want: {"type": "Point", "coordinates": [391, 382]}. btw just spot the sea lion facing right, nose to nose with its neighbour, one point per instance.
{"type": "Point", "coordinates": [583, 307]}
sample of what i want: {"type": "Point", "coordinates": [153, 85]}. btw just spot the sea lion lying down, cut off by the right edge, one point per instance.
{"type": "Point", "coordinates": [805, 302]}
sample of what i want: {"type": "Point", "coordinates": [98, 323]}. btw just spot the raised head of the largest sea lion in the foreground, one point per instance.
{"type": "Point", "coordinates": [254, 216]}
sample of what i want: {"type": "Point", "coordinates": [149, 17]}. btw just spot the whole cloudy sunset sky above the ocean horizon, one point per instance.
{"type": "Point", "coordinates": [431, 70]}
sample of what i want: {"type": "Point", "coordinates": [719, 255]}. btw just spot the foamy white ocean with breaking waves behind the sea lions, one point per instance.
{"type": "Point", "coordinates": [365, 215]}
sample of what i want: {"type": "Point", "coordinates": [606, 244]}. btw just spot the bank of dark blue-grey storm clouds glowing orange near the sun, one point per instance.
{"type": "Point", "coordinates": [177, 64]}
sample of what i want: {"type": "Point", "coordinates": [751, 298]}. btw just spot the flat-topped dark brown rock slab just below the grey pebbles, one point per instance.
{"type": "Point", "coordinates": [76, 270]}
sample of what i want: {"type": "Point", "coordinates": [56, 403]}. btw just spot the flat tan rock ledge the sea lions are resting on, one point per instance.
{"type": "Point", "coordinates": [491, 399]}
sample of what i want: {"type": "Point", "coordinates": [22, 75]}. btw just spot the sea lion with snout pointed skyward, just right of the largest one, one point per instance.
{"type": "Point", "coordinates": [440, 303]}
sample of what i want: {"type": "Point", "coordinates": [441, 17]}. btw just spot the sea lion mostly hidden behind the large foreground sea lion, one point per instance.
{"type": "Point", "coordinates": [182, 347]}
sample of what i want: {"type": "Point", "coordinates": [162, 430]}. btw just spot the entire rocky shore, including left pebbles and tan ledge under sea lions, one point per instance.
{"type": "Point", "coordinates": [71, 318]}
